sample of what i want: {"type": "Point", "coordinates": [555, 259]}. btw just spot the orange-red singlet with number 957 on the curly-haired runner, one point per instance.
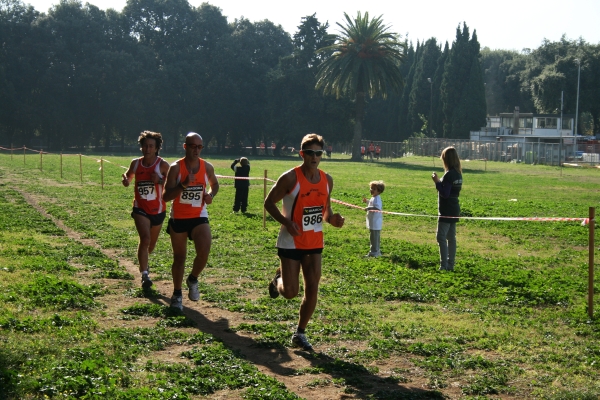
{"type": "Point", "coordinates": [148, 195]}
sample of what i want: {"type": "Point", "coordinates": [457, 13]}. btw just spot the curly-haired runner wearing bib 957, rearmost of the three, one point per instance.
{"type": "Point", "coordinates": [149, 208]}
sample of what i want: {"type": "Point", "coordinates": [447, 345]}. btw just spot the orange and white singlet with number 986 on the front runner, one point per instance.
{"type": "Point", "coordinates": [306, 204]}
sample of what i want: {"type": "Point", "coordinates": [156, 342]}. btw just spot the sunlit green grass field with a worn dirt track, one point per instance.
{"type": "Point", "coordinates": [510, 322]}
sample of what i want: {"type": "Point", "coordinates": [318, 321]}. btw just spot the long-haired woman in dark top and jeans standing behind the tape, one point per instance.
{"type": "Point", "coordinates": [448, 206]}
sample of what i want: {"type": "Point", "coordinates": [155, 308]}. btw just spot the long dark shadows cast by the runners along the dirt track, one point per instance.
{"type": "Point", "coordinates": [356, 379]}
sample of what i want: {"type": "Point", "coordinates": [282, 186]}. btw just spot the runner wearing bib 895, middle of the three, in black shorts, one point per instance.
{"type": "Point", "coordinates": [186, 186]}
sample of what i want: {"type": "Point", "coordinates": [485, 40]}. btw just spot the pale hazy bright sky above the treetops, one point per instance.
{"type": "Point", "coordinates": [507, 24]}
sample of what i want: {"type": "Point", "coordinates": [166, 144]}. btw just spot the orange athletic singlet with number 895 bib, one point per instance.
{"type": "Point", "coordinates": [190, 203]}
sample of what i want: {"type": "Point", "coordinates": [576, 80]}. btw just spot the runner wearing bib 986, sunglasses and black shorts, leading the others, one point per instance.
{"type": "Point", "coordinates": [306, 194]}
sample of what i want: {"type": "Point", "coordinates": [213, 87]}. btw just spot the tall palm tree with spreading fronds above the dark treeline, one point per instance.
{"type": "Point", "coordinates": [364, 60]}
